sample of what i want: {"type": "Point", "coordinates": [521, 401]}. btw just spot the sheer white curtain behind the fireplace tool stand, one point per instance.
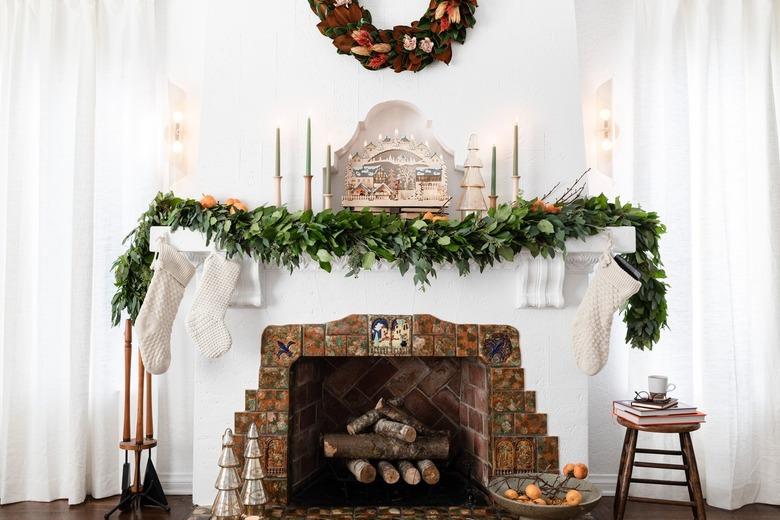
{"type": "Point", "coordinates": [79, 138]}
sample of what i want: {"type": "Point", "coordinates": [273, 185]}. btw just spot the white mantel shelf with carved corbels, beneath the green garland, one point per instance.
{"type": "Point", "coordinates": [539, 281]}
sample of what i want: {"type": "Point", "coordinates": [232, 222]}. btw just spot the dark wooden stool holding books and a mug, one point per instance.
{"type": "Point", "coordinates": [627, 463]}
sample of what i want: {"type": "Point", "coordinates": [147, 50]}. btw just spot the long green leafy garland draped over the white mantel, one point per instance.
{"type": "Point", "coordinates": [275, 235]}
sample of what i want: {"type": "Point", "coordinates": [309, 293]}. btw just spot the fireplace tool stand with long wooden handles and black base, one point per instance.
{"type": "Point", "coordinates": [148, 492]}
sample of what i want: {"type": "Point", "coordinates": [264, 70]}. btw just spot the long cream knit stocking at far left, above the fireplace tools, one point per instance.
{"type": "Point", "coordinates": [153, 325]}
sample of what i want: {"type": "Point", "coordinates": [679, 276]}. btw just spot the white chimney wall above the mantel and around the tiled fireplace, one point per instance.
{"type": "Point", "coordinates": [248, 65]}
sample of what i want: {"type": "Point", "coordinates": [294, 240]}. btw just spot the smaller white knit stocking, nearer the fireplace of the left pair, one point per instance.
{"type": "Point", "coordinates": [205, 322]}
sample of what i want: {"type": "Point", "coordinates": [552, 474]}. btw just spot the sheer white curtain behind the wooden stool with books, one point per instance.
{"type": "Point", "coordinates": [706, 82]}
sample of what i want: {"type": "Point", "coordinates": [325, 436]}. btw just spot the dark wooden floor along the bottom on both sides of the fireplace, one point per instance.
{"type": "Point", "coordinates": [182, 506]}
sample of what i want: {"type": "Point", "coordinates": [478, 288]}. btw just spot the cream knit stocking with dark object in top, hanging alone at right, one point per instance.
{"type": "Point", "coordinates": [610, 287]}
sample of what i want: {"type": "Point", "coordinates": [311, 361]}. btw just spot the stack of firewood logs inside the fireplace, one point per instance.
{"type": "Point", "coordinates": [402, 446]}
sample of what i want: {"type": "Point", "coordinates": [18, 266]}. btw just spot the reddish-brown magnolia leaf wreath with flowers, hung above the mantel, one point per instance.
{"type": "Point", "coordinates": [404, 47]}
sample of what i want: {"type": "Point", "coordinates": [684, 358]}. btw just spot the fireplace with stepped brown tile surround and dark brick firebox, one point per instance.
{"type": "Point", "coordinates": [465, 379]}
